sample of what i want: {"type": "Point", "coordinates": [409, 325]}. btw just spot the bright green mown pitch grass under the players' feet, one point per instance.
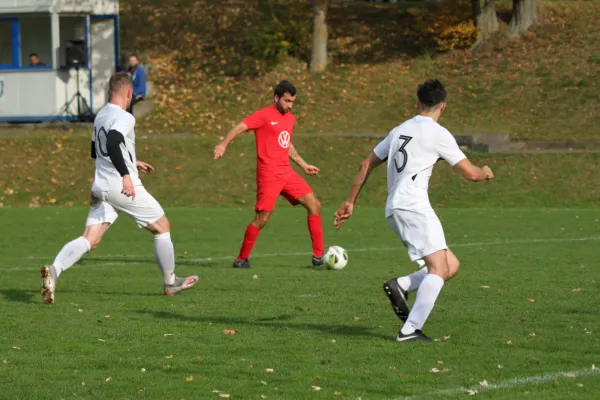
{"type": "Point", "coordinates": [110, 320]}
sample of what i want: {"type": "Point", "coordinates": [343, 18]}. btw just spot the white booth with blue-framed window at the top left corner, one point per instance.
{"type": "Point", "coordinates": [59, 32]}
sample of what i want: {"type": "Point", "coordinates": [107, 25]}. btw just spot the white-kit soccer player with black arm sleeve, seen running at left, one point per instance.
{"type": "Point", "coordinates": [118, 188]}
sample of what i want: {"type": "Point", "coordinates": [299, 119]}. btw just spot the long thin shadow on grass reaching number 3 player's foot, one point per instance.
{"type": "Point", "coordinates": [273, 322]}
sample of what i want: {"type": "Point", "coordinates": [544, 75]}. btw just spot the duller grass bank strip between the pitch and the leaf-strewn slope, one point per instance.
{"type": "Point", "coordinates": [57, 170]}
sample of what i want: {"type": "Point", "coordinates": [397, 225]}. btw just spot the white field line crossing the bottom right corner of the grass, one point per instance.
{"type": "Point", "coordinates": [507, 384]}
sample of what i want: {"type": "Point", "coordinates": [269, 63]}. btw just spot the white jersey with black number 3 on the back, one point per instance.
{"type": "Point", "coordinates": [411, 151]}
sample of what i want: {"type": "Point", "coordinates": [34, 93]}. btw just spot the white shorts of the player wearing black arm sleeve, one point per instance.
{"type": "Point", "coordinates": [105, 207]}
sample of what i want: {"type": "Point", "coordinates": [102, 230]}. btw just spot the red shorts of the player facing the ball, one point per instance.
{"type": "Point", "coordinates": [291, 186]}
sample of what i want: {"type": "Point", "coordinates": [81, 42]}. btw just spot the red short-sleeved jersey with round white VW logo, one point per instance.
{"type": "Point", "coordinates": [273, 132]}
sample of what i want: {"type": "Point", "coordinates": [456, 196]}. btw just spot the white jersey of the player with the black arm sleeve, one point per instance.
{"type": "Point", "coordinates": [108, 118]}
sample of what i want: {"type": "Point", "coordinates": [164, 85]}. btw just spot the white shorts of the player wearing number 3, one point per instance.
{"type": "Point", "coordinates": [420, 231]}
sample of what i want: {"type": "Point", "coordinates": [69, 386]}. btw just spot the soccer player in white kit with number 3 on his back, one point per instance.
{"type": "Point", "coordinates": [411, 150]}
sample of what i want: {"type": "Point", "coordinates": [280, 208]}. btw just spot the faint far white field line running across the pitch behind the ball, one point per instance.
{"type": "Point", "coordinates": [125, 257]}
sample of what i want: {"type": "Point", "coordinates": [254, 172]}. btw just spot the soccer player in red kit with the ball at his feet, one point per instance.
{"type": "Point", "coordinates": [273, 127]}
